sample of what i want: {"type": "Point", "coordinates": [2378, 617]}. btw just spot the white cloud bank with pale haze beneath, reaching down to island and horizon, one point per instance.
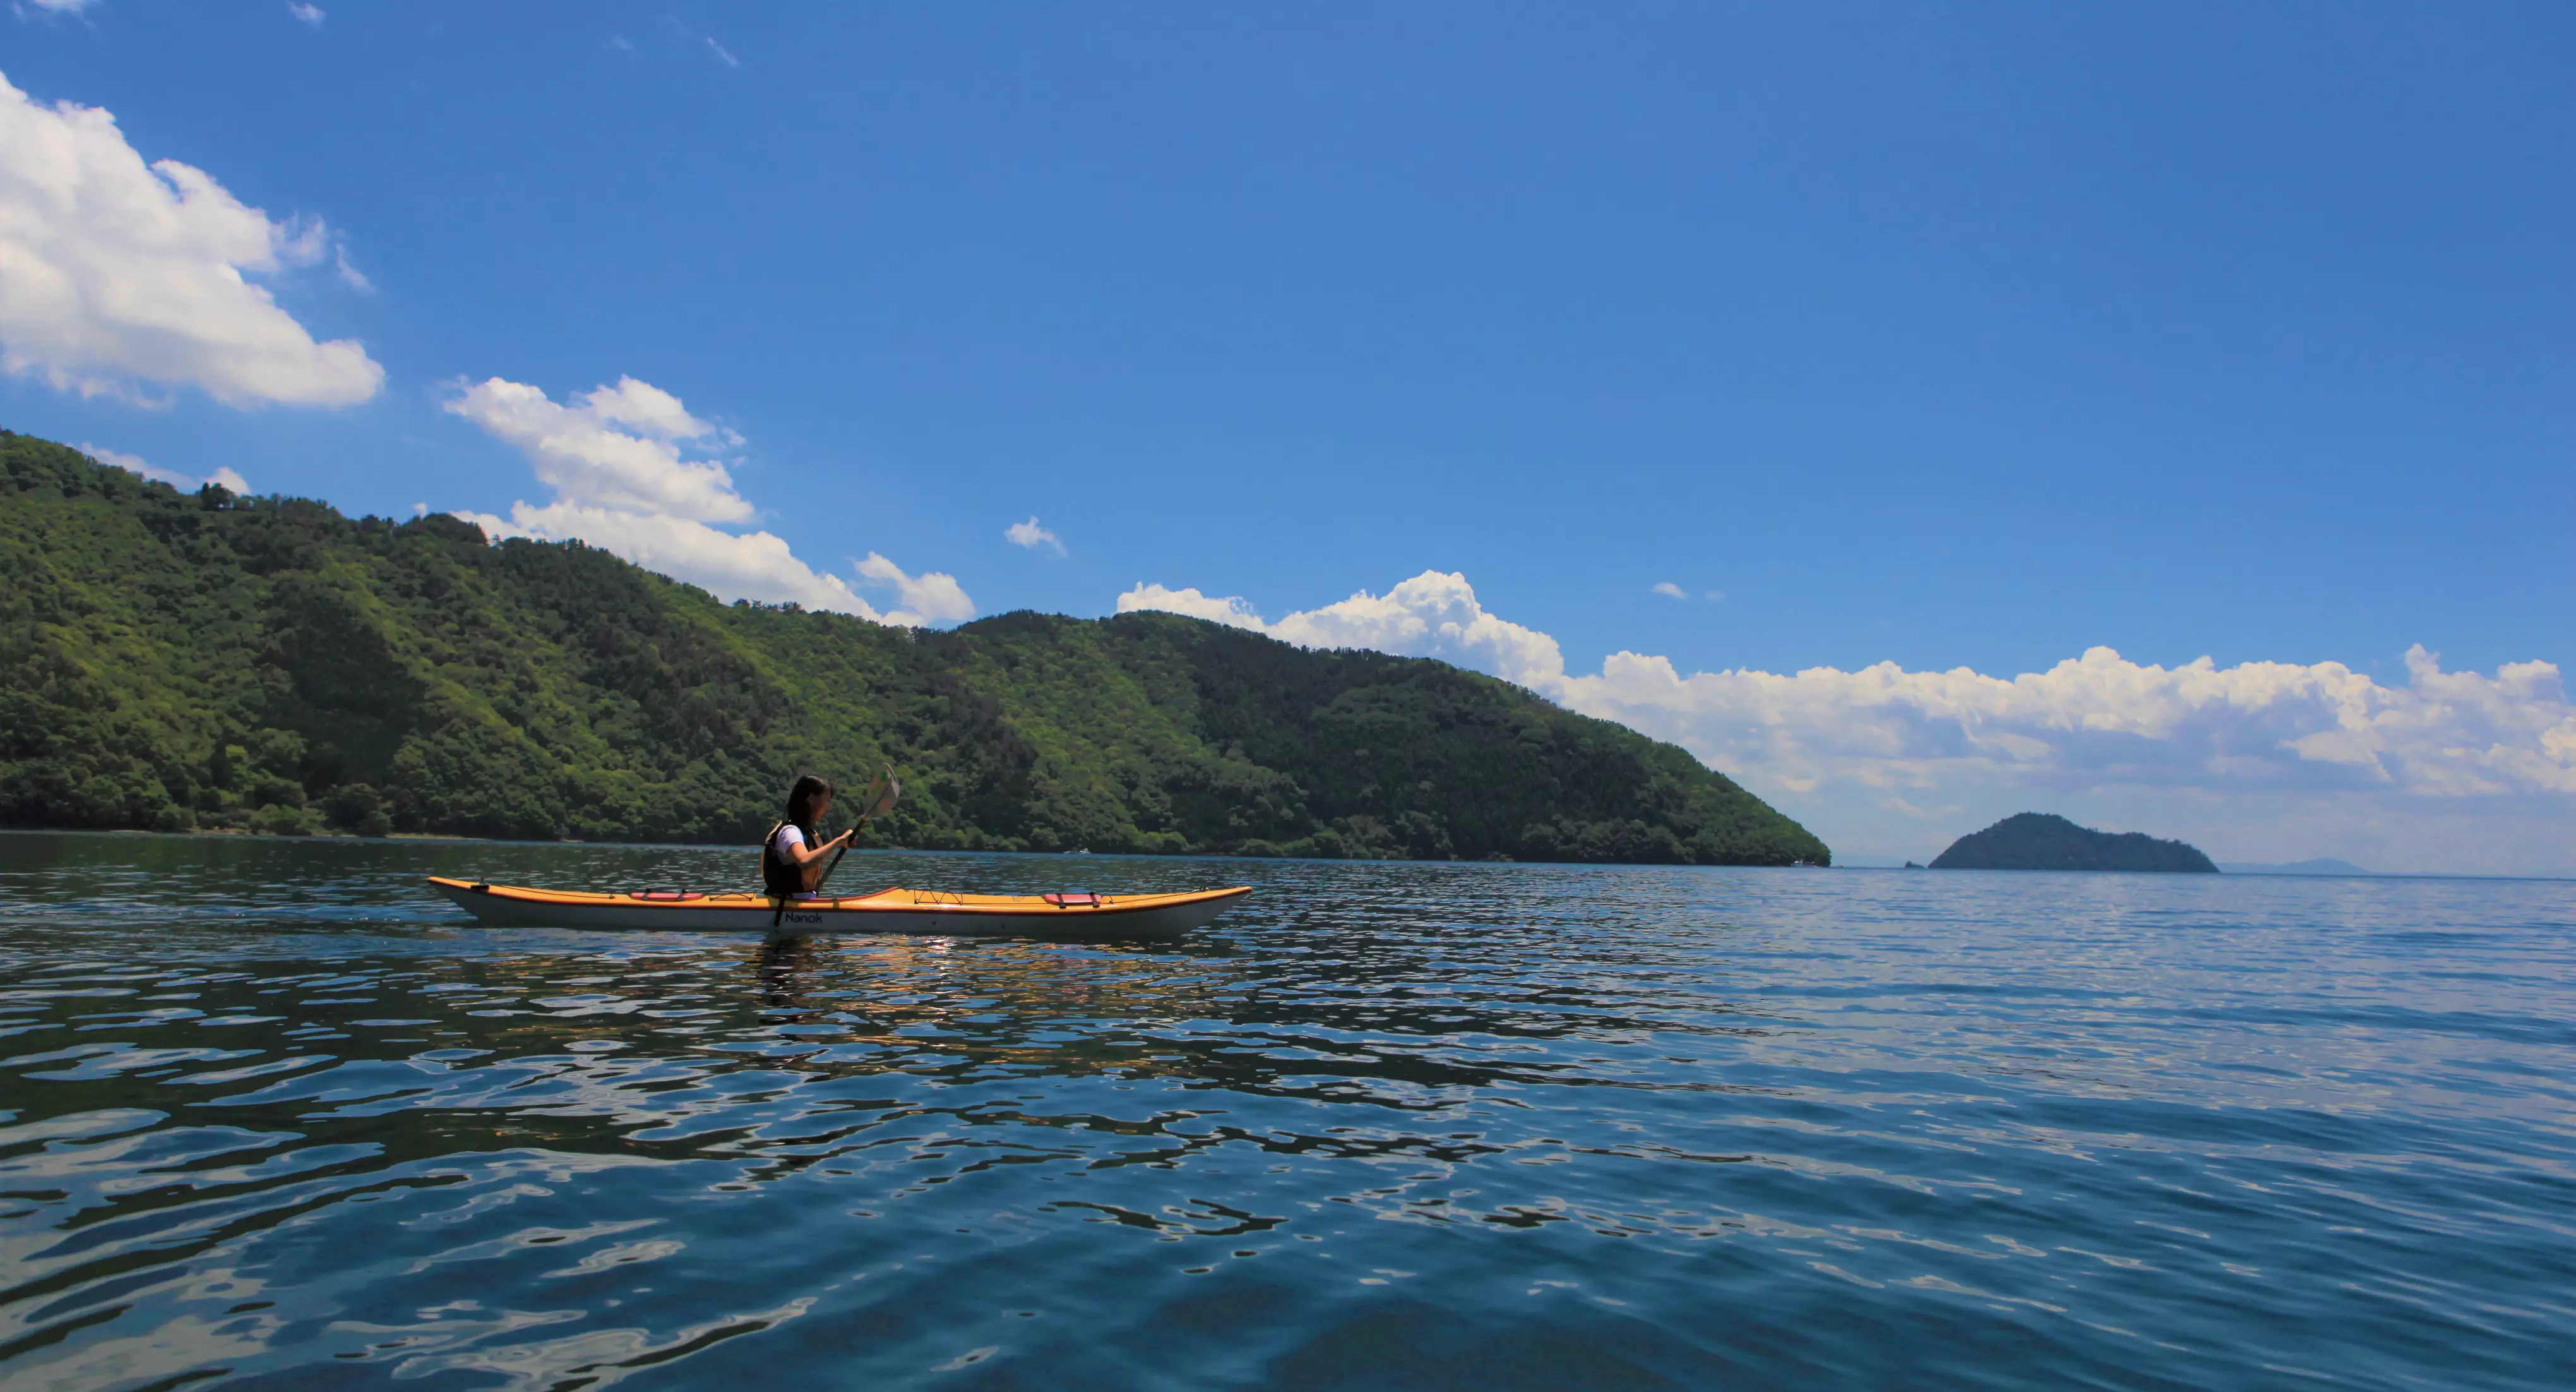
{"type": "Point", "coordinates": [1913, 759]}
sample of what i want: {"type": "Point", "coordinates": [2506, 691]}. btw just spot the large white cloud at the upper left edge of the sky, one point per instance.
{"type": "Point", "coordinates": [120, 275]}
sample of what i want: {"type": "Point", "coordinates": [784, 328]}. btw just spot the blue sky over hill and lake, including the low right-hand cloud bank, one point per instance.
{"type": "Point", "coordinates": [1933, 336]}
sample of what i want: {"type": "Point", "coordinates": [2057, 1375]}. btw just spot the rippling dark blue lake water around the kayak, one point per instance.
{"type": "Point", "coordinates": [274, 1117]}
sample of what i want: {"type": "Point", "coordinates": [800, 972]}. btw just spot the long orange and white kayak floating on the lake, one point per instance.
{"type": "Point", "coordinates": [887, 911]}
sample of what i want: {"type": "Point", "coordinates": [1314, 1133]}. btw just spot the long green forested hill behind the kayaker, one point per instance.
{"type": "Point", "coordinates": [264, 664]}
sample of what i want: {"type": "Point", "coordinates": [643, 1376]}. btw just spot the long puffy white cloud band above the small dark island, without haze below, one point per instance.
{"type": "Point", "coordinates": [2103, 718]}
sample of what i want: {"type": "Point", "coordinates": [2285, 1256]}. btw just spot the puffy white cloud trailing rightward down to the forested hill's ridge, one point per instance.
{"type": "Point", "coordinates": [625, 478]}
